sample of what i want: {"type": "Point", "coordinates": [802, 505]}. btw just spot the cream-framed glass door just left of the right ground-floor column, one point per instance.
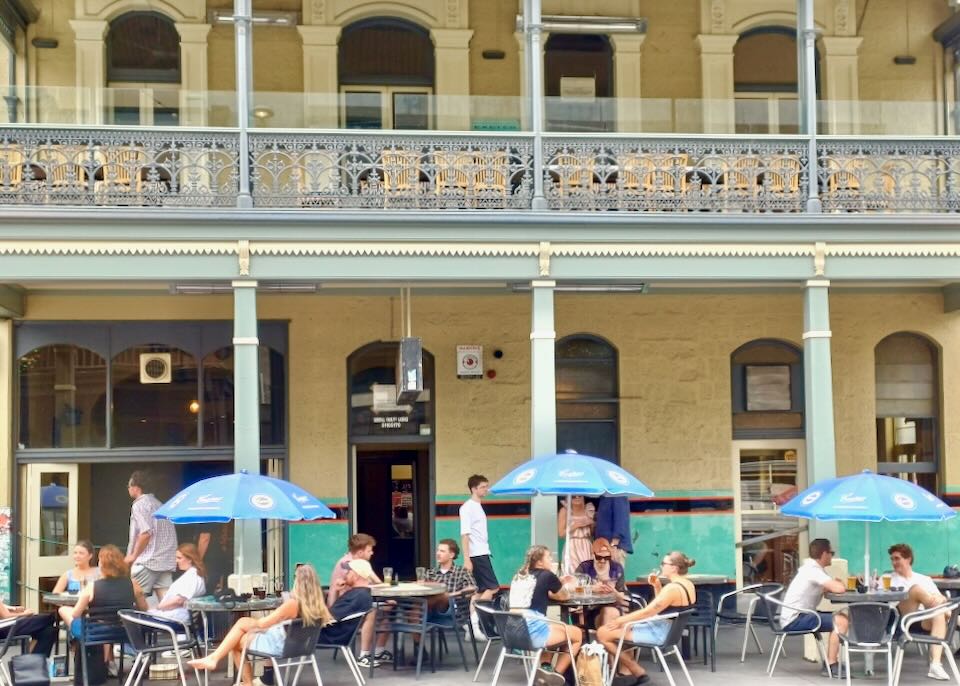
{"type": "Point", "coordinates": [768, 472]}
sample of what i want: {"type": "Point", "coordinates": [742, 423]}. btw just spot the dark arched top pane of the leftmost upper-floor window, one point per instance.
{"type": "Point", "coordinates": [143, 46]}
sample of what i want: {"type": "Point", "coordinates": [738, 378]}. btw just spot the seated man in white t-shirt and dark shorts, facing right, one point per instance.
{"type": "Point", "coordinates": [806, 591]}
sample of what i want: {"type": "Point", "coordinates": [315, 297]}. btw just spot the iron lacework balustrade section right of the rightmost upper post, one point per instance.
{"type": "Point", "coordinates": [890, 176]}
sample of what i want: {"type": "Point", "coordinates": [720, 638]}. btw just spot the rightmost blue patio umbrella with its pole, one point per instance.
{"type": "Point", "coordinates": [867, 497]}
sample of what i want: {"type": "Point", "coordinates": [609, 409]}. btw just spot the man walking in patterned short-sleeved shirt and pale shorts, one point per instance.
{"type": "Point", "coordinates": [152, 549]}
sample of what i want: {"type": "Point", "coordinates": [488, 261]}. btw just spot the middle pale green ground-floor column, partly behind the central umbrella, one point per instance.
{"type": "Point", "coordinates": [543, 407]}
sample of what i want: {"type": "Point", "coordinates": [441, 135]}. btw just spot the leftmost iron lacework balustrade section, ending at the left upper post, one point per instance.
{"type": "Point", "coordinates": [179, 168]}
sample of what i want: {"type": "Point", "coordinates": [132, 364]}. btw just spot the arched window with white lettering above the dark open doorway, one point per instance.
{"type": "Point", "coordinates": [373, 395]}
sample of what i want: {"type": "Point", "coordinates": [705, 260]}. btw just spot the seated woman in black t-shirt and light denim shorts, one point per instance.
{"type": "Point", "coordinates": [539, 563]}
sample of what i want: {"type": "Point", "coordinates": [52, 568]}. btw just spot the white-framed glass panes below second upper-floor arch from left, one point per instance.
{"type": "Point", "coordinates": [386, 107]}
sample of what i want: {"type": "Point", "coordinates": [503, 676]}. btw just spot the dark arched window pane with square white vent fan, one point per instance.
{"type": "Point", "coordinates": [153, 406]}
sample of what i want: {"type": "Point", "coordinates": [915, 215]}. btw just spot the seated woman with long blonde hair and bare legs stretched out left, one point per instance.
{"type": "Point", "coordinates": [267, 634]}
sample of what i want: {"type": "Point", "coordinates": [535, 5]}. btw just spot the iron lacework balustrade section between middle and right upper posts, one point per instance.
{"type": "Point", "coordinates": [671, 175]}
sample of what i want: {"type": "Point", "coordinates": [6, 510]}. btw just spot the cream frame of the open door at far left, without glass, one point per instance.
{"type": "Point", "coordinates": [34, 564]}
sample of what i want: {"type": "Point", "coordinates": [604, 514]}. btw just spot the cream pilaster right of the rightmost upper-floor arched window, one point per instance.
{"type": "Point", "coordinates": [842, 80]}
